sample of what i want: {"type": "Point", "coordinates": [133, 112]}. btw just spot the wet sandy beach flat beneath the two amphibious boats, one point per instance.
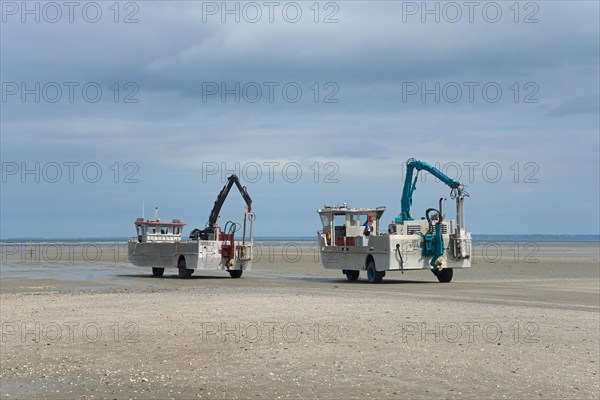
{"type": "Point", "coordinates": [523, 322]}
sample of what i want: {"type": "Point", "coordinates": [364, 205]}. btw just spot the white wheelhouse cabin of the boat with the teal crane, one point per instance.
{"type": "Point", "coordinates": [343, 226]}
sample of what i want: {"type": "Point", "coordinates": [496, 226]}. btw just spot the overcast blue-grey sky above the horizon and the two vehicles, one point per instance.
{"type": "Point", "coordinates": [105, 108]}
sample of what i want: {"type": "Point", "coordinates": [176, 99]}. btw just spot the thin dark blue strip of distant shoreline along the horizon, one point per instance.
{"type": "Point", "coordinates": [476, 237]}
